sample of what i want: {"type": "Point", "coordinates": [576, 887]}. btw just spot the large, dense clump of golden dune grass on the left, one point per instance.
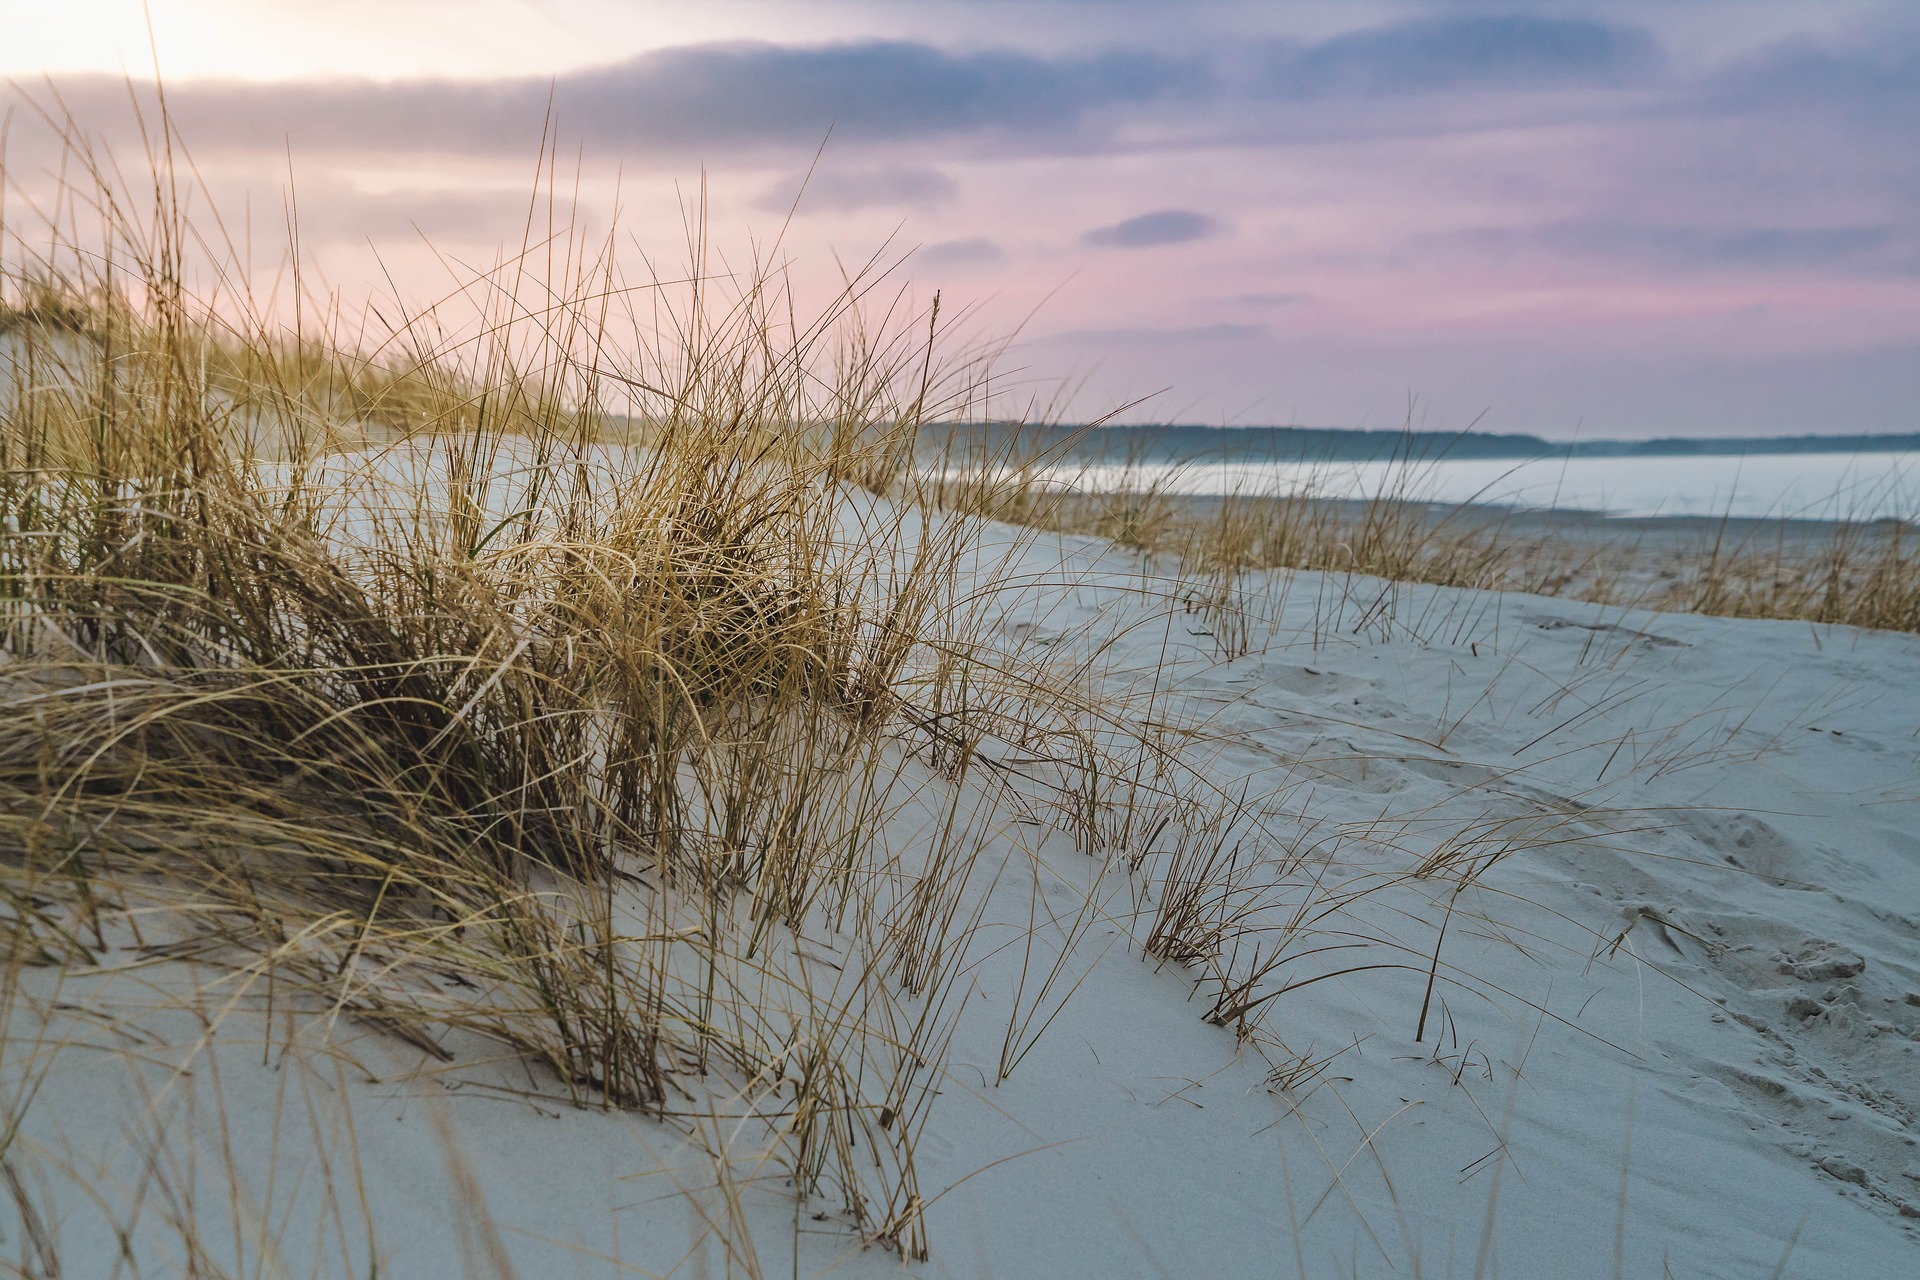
{"type": "Point", "coordinates": [491, 680]}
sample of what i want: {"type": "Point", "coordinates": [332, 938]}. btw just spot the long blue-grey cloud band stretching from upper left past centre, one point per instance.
{"type": "Point", "coordinates": [694, 99]}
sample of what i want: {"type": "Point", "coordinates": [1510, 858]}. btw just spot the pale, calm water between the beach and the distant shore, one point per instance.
{"type": "Point", "coordinates": [1815, 486]}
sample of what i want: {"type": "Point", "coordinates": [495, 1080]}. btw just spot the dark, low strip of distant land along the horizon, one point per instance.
{"type": "Point", "coordinates": [1330, 444]}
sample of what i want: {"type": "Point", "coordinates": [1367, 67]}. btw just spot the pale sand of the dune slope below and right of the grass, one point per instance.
{"type": "Point", "coordinates": [1675, 1028]}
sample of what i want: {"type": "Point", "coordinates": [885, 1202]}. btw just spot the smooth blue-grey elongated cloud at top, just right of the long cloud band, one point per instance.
{"type": "Point", "coordinates": [1462, 53]}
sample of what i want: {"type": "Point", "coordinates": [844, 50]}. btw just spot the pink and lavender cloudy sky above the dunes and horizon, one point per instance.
{"type": "Point", "coordinates": [1572, 218]}
